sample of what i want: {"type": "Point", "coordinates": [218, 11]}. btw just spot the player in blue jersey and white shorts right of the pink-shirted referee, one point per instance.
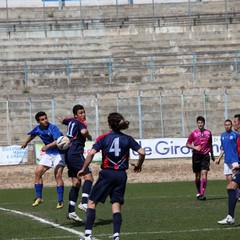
{"type": "Point", "coordinates": [229, 140]}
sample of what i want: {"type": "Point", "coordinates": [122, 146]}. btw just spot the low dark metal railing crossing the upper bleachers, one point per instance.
{"type": "Point", "coordinates": [33, 25]}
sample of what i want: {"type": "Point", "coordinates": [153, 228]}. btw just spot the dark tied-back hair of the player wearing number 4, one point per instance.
{"type": "Point", "coordinates": [117, 122]}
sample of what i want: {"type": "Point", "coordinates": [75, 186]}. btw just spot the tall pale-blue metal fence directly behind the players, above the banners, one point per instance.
{"type": "Point", "coordinates": [150, 117]}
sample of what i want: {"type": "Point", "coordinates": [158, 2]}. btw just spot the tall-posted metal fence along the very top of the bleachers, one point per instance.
{"type": "Point", "coordinates": [191, 13]}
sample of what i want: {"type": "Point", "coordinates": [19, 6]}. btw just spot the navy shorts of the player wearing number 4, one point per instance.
{"type": "Point", "coordinates": [110, 183]}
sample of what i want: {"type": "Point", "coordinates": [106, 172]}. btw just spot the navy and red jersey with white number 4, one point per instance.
{"type": "Point", "coordinates": [115, 148]}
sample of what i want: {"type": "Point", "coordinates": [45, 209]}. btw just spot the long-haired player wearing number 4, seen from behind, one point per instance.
{"type": "Point", "coordinates": [115, 147]}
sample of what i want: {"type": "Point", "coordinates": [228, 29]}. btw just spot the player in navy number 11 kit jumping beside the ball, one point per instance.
{"type": "Point", "coordinates": [77, 133]}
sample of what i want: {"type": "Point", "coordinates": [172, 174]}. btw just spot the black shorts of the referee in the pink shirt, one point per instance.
{"type": "Point", "coordinates": [200, 162]}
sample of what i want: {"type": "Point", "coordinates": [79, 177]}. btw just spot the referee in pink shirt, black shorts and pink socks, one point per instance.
{"type": "Point", "coordinates": [200, 141]}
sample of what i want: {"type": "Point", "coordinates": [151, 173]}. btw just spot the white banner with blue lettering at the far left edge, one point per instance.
{"type": "Point", "coordinates": [13, 155]}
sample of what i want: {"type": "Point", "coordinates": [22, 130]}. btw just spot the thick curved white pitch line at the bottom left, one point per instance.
{"type": "Point", "coordinates": [81, 234]}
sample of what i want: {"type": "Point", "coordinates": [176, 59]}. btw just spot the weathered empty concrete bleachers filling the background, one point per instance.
{"type": "Point", "coordinates": [131, 49]}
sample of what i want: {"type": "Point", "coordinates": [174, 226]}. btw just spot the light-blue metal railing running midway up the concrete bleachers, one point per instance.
{"type": "Point", "coordinates": [108, 69]}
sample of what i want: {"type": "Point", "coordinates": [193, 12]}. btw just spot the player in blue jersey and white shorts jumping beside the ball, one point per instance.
{"type": "Point", "coordinates": [52, 157]}
